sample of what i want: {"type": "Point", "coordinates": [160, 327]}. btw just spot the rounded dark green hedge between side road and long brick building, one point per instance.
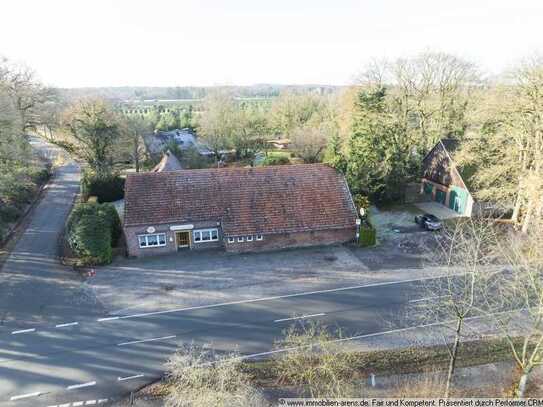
{"type": "Point", "coordinates": [92, 230]}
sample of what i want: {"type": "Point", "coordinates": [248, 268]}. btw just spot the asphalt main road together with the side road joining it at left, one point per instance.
{"type": "Point", "coordinates": [55, 347]}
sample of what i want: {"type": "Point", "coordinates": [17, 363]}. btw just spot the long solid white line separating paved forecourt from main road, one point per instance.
{"type": "Point", "coordinates": [277, 297]}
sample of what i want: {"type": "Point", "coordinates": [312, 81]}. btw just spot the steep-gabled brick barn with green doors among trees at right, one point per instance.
{"type": "Point", "coordinates": [443, 182]}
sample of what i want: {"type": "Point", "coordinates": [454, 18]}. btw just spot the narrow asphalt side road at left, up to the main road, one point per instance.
{"type": "Point", "coordinates": [33, 286]}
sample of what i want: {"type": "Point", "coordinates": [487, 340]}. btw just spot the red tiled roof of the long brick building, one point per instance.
{"type": "Point", "coordinates": [270, 199]}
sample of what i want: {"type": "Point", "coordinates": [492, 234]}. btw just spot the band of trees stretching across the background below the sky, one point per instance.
{"type": "Point", "coordinates": [376, 132]}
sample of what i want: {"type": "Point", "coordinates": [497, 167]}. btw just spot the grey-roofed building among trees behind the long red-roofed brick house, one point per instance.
{"type": "Point", "coordinates": [157, 143]}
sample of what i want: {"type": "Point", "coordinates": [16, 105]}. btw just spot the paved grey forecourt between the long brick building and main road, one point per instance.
{"type": "Point", "coordinates": [196, 278]}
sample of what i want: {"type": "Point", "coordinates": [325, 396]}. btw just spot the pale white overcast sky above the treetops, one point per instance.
{"type": "Point", "coordinates": [73, 43]}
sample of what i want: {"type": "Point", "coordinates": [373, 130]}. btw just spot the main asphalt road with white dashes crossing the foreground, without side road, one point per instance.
{"type": "Point", "coordinates": [51, 359]}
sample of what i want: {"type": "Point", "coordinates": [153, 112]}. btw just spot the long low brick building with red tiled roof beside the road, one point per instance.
{"type": "Point", "coordinates": [238, 209]}
